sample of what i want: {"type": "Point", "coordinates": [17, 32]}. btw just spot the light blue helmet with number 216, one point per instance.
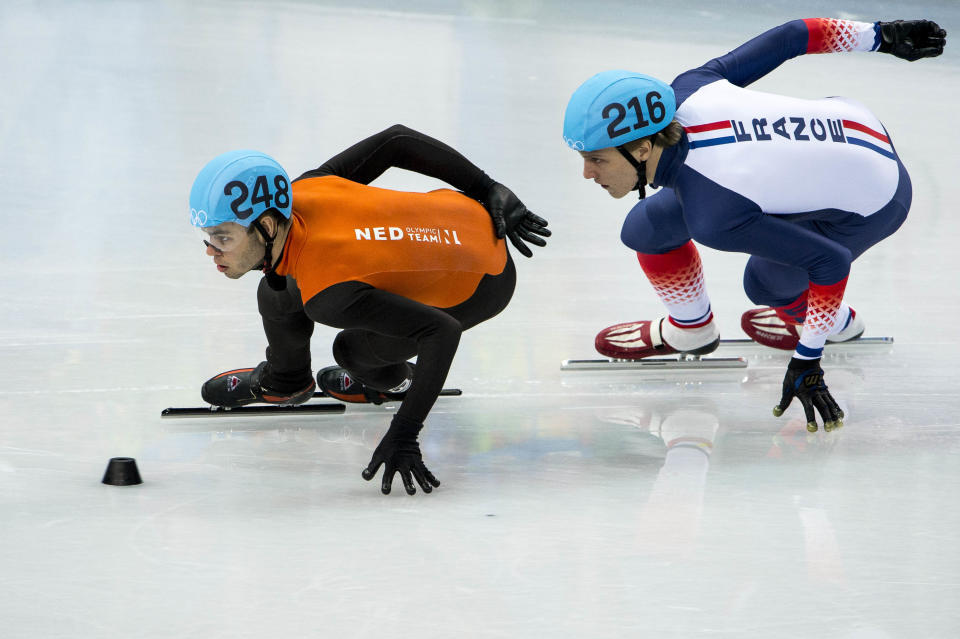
{"type": "Point", "coordinates": [615, 107]}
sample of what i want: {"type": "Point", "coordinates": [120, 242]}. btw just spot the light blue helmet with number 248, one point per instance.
{"type": "Point", "coordinates": [239, 186]}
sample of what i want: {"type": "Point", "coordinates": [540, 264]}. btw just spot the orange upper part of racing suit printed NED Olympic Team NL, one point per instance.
{"type": "Point", "coordinates": [430, 247]}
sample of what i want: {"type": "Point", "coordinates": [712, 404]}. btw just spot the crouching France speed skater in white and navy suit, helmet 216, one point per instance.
{"type": "Point", "coordinates": [802, 186]}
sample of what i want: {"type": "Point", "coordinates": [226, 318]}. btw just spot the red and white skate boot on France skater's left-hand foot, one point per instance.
{"type": "Point", "coordinates": [636, 340]}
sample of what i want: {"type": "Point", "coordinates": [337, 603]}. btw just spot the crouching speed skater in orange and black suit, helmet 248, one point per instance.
{"type": "Point", "coordinates": [402, 273]}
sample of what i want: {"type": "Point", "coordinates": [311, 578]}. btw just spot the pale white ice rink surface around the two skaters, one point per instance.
{"type": "Point", "coordinates": [573, 504]}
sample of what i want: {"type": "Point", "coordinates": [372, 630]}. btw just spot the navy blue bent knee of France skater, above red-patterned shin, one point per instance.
{"type": "Point", "coordinates": [656, 224]}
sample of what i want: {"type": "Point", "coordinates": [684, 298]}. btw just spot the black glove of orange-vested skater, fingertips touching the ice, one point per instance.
{"type": "Point", "coordinates": [400, 451]}
